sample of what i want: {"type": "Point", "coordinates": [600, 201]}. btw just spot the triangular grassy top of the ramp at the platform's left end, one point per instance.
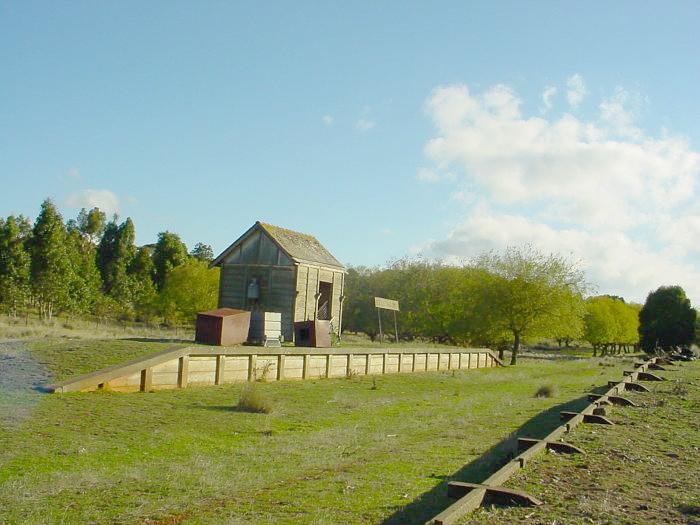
{"type": "Point", "coordinates": [66, 358]}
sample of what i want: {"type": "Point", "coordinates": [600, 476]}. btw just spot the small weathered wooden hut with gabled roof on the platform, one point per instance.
{"type": "Point", "coordinates": [280, 270]}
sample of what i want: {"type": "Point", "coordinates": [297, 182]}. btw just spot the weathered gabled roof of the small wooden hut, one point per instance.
{"type": "Point", "coordinates": [300, 247]}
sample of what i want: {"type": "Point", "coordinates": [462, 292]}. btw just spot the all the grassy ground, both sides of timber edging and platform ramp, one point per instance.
{"type": "Point", "coordinates": [359, 450]}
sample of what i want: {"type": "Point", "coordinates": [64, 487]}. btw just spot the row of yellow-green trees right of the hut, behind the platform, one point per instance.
{"type": "Point", "coordinates": [500, 300]}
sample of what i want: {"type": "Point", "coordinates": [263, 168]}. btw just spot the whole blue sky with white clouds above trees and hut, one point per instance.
{"type": "Point", "coordinates": [385, 129]}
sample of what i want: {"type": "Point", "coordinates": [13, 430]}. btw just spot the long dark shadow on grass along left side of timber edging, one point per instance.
{"type": "Point", "coordinates": [435, 500]}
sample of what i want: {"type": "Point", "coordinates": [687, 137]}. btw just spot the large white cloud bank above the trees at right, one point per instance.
{"type": "Point", "coordinates": [604, 190]}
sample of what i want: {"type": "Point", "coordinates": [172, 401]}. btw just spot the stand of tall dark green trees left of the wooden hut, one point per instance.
{"type": "Point", "coordinates": [91, 265]}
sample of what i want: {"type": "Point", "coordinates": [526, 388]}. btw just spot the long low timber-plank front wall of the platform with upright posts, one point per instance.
{"type": "Point", "coordinates": [205, 365]}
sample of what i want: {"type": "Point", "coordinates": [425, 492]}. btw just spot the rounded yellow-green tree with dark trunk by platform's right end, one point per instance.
{"type": "Point", "coordinates": [530, 294]}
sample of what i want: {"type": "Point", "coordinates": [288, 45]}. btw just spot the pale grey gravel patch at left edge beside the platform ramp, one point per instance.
{"type": "Point", "coordinates": [20, 375]}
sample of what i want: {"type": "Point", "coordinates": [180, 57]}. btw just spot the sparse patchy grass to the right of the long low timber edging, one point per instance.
{"type": "Point", "coordinates": [642, 470]}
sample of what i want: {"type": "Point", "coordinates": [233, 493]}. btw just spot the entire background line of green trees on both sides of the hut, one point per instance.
{"type": "Point", "coordinates": [91, 266]}
